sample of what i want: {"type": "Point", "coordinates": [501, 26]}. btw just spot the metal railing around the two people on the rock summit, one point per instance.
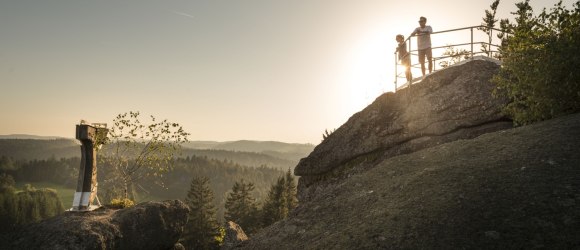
{"type": "Point", "coordinates": [469, 53]}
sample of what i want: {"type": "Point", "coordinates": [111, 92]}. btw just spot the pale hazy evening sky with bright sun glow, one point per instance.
{"type": "Point", "coordinates": [268, 70]}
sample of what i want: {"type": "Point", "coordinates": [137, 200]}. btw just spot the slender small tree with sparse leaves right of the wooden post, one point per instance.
{"type": "Point", "coordinates": [137, 150]}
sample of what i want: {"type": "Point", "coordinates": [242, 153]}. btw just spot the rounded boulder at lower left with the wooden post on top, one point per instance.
{"type": "Point", "coordinates": [150, 225]}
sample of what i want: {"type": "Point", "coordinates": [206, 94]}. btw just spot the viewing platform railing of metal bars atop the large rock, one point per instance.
{"type": "Point", "coordinates": [462, 49]}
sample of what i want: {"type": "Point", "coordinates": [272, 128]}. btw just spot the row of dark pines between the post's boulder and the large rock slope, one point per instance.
{"type": "Point", "coordinates": [203, 231]}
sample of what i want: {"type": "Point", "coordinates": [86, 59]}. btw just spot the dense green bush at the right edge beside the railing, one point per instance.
{"type": "Point", "coordinates": [541, 58]}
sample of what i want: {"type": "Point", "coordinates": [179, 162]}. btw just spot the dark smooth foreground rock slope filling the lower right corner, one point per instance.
{"type": "Point", "coordinates": [510, 189]}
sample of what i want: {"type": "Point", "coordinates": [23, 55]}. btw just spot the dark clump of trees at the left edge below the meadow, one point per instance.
{"type": "Point", "coordinates": [30, 205]}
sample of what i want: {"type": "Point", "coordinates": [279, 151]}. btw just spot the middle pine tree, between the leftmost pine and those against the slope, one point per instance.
{"type": "Point", "coordinates": [241, 207]}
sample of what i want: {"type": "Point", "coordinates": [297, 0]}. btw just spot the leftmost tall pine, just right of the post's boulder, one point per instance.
{"type": "Point", "coordinates": [202, 227]}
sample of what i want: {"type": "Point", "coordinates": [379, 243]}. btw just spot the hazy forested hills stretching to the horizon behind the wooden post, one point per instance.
{"type": "Point", "coordinates": [54, 164]}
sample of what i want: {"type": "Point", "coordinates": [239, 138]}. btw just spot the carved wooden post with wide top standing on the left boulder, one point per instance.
{"type": "Point", "coordinates": [91, 136]}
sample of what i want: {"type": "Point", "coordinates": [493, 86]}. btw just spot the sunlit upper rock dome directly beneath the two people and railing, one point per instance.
{"type": "Point", "coordinates": [455, 103]}
